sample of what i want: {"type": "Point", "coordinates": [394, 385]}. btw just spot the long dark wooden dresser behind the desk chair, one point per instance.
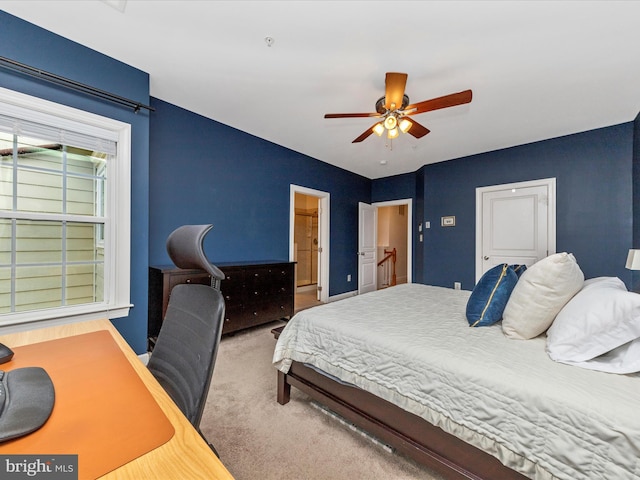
{"type": "Point", "coordinates": [254, 292]}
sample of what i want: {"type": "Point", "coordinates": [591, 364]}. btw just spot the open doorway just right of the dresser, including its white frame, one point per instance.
{"type": "Point", "coordinates": [308, 245]}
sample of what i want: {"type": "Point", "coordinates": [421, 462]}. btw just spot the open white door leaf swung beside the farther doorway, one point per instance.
{"type": "Point", "coordinates": [367, 268]}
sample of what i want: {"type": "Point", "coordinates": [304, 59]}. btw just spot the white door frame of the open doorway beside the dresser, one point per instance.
{"type": "Point", "coordinates": [323, 237]}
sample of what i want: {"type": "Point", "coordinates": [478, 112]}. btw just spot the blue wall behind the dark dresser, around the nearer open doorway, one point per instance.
{"type": "Point", "coordinates": [202, 171]}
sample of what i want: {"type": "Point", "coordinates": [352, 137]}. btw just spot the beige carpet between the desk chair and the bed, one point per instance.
{"type": "Point", "coordinates": [258, 439]}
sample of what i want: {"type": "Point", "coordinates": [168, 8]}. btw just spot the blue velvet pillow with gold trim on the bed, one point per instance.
{"type": "Point", "coordinates": [490, 295]}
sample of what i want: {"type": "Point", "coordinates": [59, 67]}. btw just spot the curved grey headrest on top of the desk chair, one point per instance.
{"type": "Point", "coordinates": [184, 246]}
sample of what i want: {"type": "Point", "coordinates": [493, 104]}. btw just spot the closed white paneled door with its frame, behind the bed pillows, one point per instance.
{"type": "Point", "coordinates": [516, 222]}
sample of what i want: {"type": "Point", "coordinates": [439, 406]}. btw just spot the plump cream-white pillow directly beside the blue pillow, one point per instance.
{"type": "Point", "coordinates": [543, 289]}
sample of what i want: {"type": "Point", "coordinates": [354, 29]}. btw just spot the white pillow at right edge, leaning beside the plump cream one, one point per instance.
{"type": "Point", "coordinates": [601, 317]}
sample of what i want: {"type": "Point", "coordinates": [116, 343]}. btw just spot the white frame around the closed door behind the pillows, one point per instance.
{"type": "Point", "coordinates": [550, 183]}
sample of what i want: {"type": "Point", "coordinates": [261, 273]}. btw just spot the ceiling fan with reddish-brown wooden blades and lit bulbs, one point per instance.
{"type": "Point", "coordinates": [394, 109]}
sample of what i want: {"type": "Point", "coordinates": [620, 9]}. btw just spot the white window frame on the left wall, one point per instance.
{"type": "Point", "coordinates": [117, 234]}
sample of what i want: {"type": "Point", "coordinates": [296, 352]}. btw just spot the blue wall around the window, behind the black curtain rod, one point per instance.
{"type": "Point", "coordinates": [31, 45]}
